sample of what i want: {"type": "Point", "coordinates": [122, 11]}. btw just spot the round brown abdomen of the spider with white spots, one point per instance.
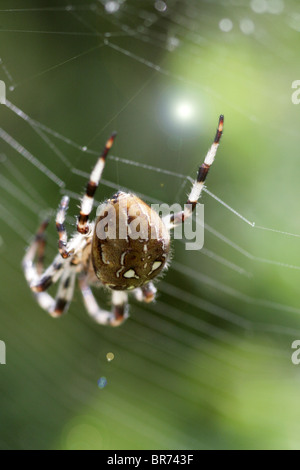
{"type": "Point", "coordinates": [130, 243]}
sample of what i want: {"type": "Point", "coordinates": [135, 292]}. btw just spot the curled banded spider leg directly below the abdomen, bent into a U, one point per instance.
{"type": "Point", "coordinates": [119, 311]}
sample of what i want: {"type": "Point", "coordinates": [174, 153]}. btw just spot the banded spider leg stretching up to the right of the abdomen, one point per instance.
{"type": "Point", "coordinates": [173, 220]}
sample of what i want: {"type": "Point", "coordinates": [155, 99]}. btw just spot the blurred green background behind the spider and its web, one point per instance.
{"type": "Point", "coordinates": [208, 366]}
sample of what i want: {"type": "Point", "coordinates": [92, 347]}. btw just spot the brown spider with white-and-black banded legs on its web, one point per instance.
{"type": "Point", "coordinates": [120, 264]}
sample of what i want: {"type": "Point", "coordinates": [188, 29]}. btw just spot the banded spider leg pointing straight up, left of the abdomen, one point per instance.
{"type": "Point", "coordinates": [88, 198]}
